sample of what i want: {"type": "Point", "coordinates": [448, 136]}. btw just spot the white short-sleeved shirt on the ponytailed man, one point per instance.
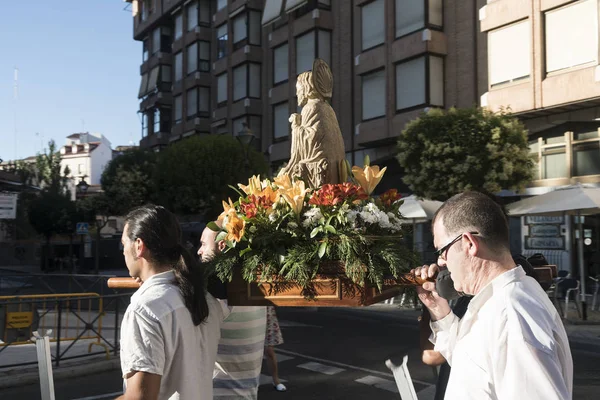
{"type": "Point", "coordinates": [159, 337]}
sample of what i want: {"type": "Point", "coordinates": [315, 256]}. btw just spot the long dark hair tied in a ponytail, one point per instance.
{"type": "Point", "coordinates": [159, 229]}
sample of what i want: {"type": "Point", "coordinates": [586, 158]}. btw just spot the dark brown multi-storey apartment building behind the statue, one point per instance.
{"type": "Point", "coordinates": [210, 66]}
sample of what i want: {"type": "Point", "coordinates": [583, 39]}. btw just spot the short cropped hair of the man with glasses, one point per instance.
{"type": "Point", "coordinates": [475, 211]}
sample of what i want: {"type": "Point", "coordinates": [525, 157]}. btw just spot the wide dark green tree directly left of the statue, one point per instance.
{"type": "Point", "coordinates": [194, 175]}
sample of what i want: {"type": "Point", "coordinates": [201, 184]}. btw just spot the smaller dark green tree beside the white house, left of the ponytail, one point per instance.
{"type": "Point", "coordinates": [128, 180]}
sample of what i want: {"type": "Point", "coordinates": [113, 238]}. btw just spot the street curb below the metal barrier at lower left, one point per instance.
{"type": "Point", "coordinates": [20, 377]}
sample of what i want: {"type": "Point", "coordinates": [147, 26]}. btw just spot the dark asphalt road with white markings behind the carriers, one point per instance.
{"type": "Point", "coordinates": [331, 354]}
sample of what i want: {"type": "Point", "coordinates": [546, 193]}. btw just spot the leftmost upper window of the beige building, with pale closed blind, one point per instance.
{"type": "Point", "coordinates": [509, 53]}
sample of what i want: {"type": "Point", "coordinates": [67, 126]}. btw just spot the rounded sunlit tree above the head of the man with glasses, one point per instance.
{"type": "Point", "coordinates": [446, 152]}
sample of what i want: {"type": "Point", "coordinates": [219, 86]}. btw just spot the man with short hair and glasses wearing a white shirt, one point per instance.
{"type": "Point", "coordinates": [511, 343]}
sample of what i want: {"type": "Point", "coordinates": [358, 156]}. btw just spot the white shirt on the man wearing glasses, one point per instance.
{"type": "Point", "coordinates": [510, 344]}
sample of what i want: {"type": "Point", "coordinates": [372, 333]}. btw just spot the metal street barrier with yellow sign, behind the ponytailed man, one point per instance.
{"type": "Point", "coordinates": [72, 318]}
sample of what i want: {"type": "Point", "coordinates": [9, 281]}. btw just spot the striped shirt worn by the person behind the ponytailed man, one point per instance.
{"type": "Point", "coordinates": [239, 358]}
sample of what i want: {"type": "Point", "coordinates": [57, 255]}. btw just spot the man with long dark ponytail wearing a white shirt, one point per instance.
{"type": "Point", "coordinates": [170, 331]}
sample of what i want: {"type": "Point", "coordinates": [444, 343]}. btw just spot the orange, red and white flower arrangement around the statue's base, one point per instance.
{"type": "Point", "coordinates": [280, 230]}
